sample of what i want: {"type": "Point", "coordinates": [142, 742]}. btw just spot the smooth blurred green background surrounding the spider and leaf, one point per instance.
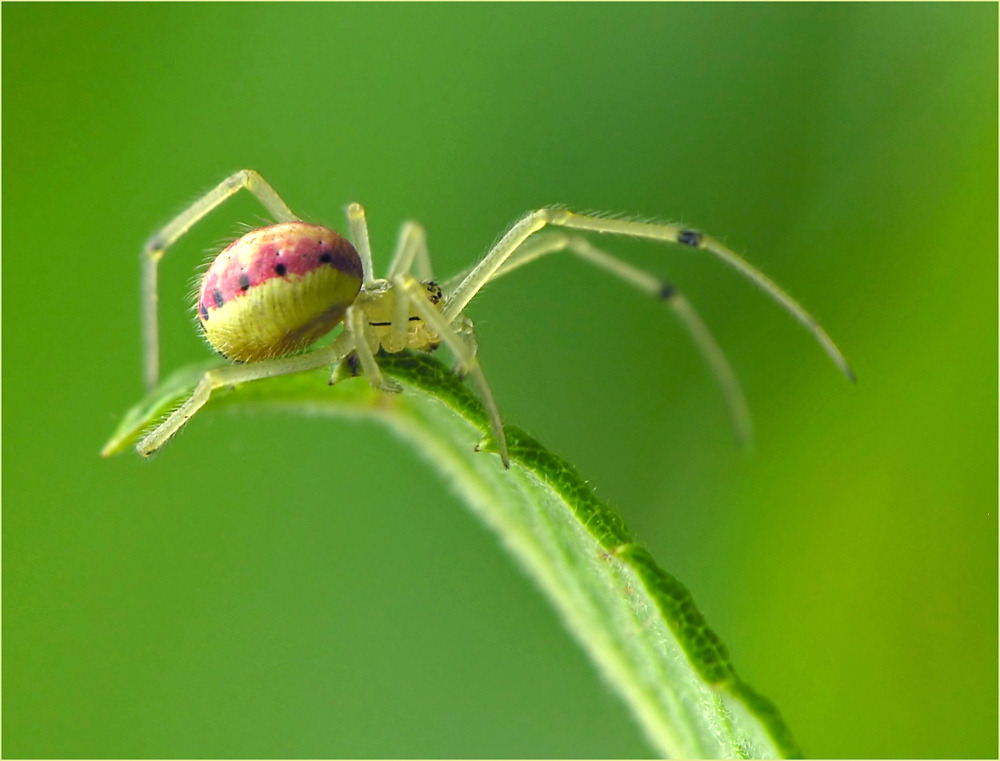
{"type": "Point", "coordinates": [279, 586]}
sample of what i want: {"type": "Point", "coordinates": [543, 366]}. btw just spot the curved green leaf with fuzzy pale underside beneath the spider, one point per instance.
{"type": "Point", "coordinates": [638, 623]}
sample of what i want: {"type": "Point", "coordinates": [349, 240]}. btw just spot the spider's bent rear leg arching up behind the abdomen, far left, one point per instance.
{"type": "Point", "coordinates": [157, 245]}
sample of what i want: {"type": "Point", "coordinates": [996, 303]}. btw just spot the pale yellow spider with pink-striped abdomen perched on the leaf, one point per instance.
{"type": "Point", "coordinates": [278, 289]}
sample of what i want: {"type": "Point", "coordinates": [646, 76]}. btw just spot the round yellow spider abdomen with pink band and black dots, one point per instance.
{"type": "Point", "coordinates": [277, 289]}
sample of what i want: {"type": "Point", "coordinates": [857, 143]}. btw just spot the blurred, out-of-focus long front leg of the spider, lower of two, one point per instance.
{"type": "Point", "coordinates": [549, 243]}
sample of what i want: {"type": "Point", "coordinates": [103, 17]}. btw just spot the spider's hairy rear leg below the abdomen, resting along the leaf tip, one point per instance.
{"type": "Point", "coordinates": [232, 375]}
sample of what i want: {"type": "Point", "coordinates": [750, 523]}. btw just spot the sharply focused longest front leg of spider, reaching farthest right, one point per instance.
{"type": "Point", "coordinates": [531, 223]}
